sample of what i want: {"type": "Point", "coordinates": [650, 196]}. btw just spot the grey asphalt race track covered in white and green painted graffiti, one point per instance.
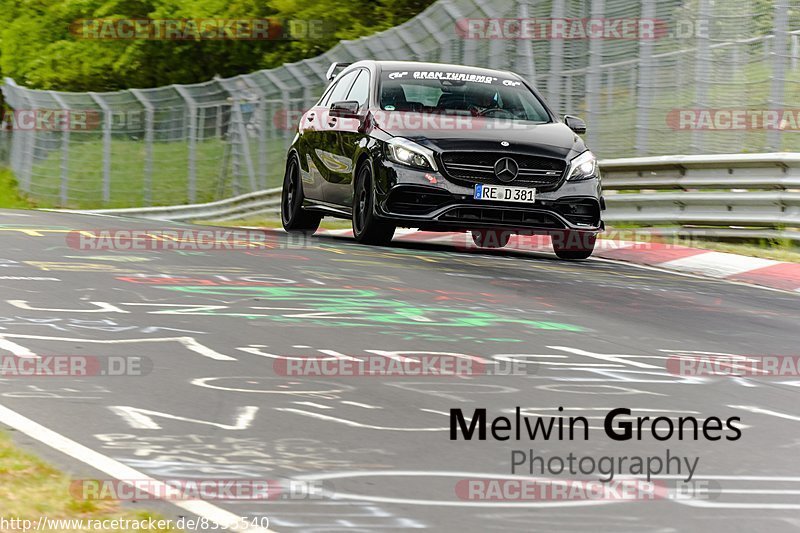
{"type": "Point", "coordinates": [597, 335]}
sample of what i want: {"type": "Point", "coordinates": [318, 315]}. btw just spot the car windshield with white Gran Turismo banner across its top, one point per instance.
{"type": "Point", "coordinates": [460, 93]}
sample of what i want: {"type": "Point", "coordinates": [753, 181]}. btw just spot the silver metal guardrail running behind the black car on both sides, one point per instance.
{"type": "Point", "coordinates": [736, 195]}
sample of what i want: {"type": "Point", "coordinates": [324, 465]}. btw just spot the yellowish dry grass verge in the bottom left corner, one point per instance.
{"type": "Point", "coordinates": [30, 488]}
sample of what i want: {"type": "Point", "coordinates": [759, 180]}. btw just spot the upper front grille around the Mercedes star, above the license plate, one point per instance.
{"type": "Point", "coordinates": [468, 168]}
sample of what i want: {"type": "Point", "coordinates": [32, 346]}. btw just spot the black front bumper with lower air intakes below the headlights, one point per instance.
{"type": "Point", "coordinates": [428, 201]}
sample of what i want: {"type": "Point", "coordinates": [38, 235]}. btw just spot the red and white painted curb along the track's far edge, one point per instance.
{"type": "Point", "coordinates": [765, 272]}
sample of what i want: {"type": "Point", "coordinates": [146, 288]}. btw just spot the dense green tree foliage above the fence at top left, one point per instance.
{"type": "Point", "coordinates": [38, 50]}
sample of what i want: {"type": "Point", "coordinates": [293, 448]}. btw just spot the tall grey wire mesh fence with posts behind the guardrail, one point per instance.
{"type": "Point", "coordinates": [650, 77]}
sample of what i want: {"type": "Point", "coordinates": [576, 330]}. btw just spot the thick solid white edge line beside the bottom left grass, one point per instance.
{"type": "Point", "coordinates": [118, 470]}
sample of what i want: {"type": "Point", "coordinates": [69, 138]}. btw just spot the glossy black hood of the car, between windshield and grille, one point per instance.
{"type": "Point", "coordinates": [550, 140]}
